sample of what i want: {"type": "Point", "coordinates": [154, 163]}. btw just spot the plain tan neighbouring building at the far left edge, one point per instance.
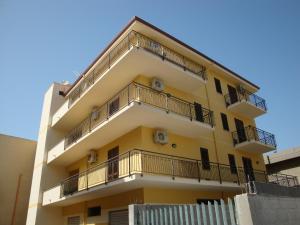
{"type": "Point", "coordinates": [16, 163]}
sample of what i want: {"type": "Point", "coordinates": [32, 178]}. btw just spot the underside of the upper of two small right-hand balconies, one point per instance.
{"type": "Point", "coordinates": [246, 108]}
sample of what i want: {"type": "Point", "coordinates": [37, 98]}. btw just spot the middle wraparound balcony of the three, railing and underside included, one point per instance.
{"type": "Point", "coordinates": [135, 105]}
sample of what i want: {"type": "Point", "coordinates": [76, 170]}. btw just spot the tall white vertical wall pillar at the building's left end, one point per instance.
{"type": "Point", "coordinates": [44, 175]}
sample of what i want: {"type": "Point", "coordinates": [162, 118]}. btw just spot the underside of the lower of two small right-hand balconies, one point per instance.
{"type": "Point", "coordinates": [254, 147]}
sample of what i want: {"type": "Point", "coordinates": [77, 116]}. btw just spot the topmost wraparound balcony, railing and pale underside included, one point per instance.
{"type": "Point", "coordinates": [136, 54]}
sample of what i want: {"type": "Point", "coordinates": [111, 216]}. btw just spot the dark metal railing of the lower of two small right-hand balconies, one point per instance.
{"type": "Point", "coordinates": [251, 133]}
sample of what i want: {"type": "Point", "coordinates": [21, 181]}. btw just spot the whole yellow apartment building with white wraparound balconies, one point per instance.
{"type": "Point", "coordinates": [151, 120]}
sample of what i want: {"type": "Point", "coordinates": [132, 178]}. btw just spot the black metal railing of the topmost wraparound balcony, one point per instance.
{"type": "Point", "coordinates": [135, 39]}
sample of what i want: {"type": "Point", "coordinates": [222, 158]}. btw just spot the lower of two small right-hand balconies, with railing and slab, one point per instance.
{"type": "Point", "coordinates": [252, 139]}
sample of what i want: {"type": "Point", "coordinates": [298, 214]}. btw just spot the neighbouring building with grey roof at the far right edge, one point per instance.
{"type": "Point", "coordinates": [285, 162]}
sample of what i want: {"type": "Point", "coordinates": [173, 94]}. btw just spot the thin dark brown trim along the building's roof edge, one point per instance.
{"type": "Point", "coordinates": [164, 33]}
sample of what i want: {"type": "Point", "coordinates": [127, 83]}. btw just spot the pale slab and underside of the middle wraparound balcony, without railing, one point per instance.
{"type": "Point", "coordinates": [127, 119]}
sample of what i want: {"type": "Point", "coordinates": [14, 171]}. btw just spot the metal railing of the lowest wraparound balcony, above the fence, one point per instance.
{"type": "Point", "coordinates": [142, 162]}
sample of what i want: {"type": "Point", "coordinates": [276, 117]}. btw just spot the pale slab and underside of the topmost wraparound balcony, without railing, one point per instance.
{"type": "Point", "coordinates": [135, 62]}
